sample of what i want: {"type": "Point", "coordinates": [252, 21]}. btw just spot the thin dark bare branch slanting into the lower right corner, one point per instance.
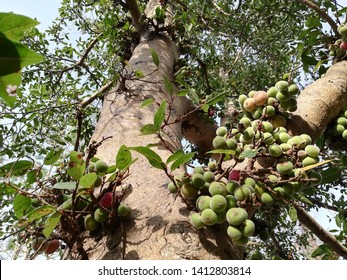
{"type": "Point", "coordinates": [321, 233]}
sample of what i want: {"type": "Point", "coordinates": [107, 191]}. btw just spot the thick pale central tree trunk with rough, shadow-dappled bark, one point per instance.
{"type": "Point", "coordinates": [159, 227]}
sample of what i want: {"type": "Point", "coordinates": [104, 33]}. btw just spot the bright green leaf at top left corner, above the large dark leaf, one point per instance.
{"type": "Point", "coordinates": [14, 25]}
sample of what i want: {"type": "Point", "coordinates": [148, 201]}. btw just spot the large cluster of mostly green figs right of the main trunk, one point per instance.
{"type": "Point", "coordinates": [224, 194]}
